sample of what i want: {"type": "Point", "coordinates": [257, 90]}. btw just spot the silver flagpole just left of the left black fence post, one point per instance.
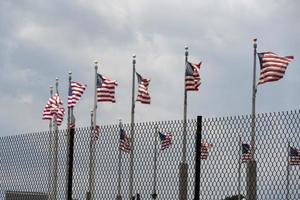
{"type": "Point", "coordinates": [55, 173]}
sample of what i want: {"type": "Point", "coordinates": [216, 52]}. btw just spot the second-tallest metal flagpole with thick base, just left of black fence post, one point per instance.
{"type": "Point", "coordinates": [183, 169]}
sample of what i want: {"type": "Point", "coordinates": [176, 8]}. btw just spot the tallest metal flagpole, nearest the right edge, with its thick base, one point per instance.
{"type": "Point", "coordinates": [251, 168]}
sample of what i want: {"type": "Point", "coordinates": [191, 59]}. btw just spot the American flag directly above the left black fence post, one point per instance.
{"type": "Point", "coordinates": [75, 92]}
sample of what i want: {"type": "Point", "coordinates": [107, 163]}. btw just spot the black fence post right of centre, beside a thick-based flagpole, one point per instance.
{"type": "Point", "coordinates": [198, 158]}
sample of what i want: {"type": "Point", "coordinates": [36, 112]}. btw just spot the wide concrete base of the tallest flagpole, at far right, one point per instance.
{"type": "Point", "coordinates": [251, 180]}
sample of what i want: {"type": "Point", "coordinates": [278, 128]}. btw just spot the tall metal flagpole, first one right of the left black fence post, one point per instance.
{"type": "Point", "coordinates": [92, 142]}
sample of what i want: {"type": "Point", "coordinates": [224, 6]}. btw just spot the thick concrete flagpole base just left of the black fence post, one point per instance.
{"type": "Point", "coordinates": [183, 183]}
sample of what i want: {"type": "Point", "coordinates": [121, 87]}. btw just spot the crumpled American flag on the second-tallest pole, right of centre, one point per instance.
{"type": "Point", "coordinates": [192, 77]}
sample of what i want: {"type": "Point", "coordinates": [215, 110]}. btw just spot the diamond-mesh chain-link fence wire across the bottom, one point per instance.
{"type": "Point", "coordinates": [27, 164]}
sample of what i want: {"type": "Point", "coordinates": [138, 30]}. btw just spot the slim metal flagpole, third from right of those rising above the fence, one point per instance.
{"type": "Point", "coordinates": [131, 196]}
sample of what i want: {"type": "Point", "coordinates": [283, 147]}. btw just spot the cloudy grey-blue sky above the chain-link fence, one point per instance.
{"type": "Point", "coordinates": [41, 40]}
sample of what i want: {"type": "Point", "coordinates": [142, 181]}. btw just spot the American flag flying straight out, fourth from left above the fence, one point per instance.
{"type": "Point", "coordinates": [106, 89]}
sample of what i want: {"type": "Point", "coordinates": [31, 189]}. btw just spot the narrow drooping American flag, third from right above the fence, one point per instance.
{"type": "Point", "coordinates": [143, 94]}
